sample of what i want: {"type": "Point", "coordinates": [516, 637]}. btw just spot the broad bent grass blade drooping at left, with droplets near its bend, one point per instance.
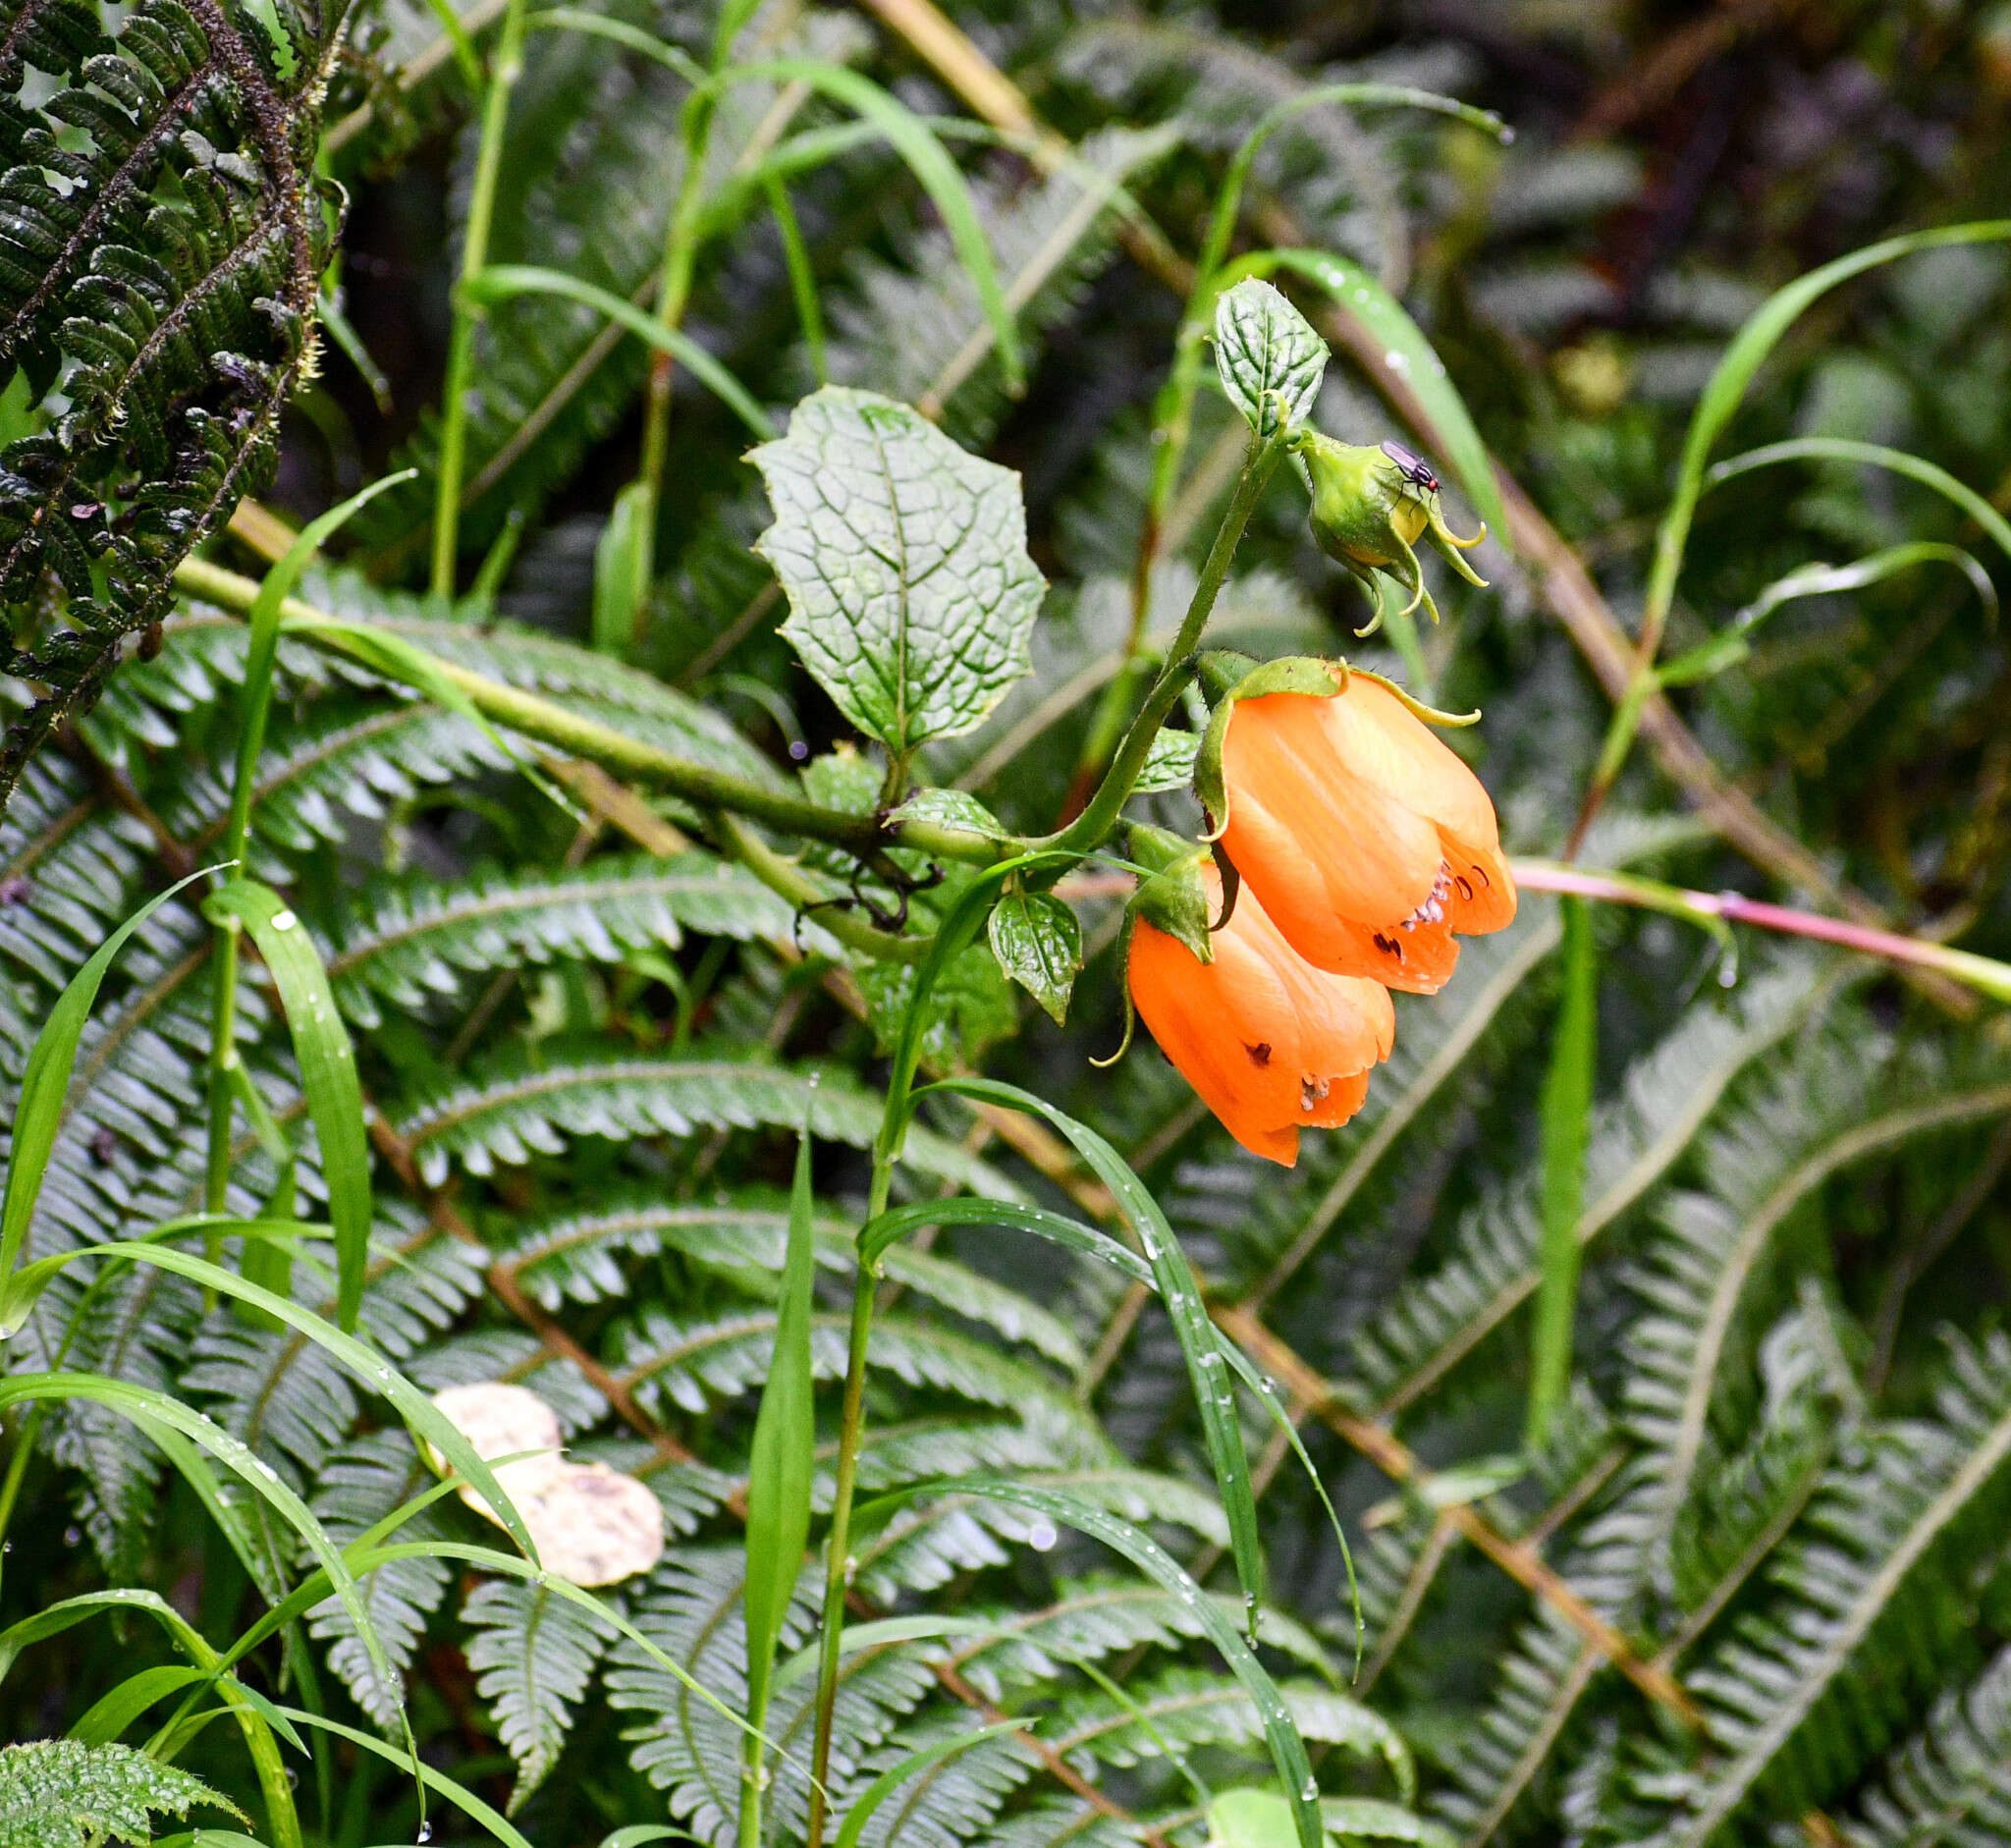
{"type": "Point", "coordinates": [327, 1073]}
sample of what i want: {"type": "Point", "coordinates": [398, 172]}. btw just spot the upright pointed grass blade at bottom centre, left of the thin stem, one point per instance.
{"type": "Point", "coordinates": [779, 1477]}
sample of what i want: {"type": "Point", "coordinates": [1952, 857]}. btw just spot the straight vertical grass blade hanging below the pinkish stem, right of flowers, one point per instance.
{"type": "Point", "coordinates": [1568, 1105]}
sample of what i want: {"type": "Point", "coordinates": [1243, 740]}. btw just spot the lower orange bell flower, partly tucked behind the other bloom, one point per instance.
{"type": "Point", "coordinates": [1270, 1043]}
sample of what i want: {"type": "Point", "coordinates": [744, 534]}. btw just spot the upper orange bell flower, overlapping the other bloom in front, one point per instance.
{"type": "Point", "coordinates": [1362, 838]}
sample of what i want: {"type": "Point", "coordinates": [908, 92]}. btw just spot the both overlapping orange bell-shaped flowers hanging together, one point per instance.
{"type": "Point", "coordinates": [1362, 846]}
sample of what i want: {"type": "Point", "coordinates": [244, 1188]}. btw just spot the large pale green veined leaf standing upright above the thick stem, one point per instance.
{"type": "Point", "coordinates": [910, 588]}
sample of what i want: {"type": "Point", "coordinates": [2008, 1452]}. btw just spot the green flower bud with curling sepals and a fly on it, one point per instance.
{"type": "Point", "coordinates": [1370, 508]}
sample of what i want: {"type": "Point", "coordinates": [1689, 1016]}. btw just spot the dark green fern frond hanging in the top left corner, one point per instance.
{"type": "Point", "coordinates": [164, 240]}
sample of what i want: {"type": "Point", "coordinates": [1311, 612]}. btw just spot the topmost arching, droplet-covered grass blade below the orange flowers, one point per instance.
{"type": "Point", "coordinates": [1200, 1344]}
